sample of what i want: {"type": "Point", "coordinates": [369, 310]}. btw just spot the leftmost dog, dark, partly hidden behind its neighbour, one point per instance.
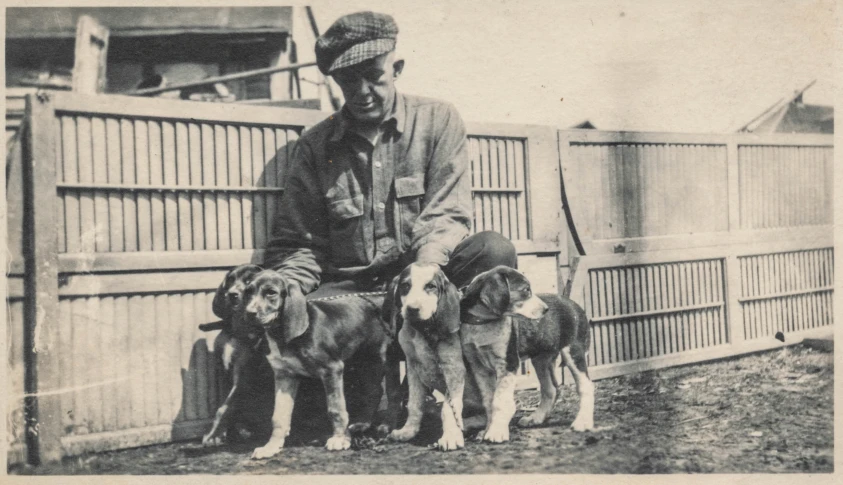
{"type": "Point", "coordinates": [241, 349]}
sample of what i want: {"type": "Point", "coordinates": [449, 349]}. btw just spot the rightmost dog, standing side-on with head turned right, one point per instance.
{"type": "Point", "coordinates": [503, 322]}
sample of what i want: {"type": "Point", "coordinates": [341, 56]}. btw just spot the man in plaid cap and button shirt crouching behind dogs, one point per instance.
{"type": "Point", "coordinates": [380, 184]}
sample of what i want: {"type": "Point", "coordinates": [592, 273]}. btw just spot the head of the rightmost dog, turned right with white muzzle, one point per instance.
{"type": "Point", "coordinates": [502, 291]}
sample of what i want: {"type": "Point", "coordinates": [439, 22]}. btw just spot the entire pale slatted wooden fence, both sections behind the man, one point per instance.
{"type": "Point", "coordinates": [124, 214]}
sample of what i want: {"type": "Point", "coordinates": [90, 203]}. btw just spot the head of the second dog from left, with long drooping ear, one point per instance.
{"type": "Point", "coordinates": [272, 302]}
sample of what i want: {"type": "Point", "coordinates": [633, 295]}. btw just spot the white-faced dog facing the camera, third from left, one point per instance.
{"type": "Point", "coordinates": [424, 305]}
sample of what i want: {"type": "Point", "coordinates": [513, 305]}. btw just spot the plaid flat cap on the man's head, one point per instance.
{"type": "Point", "coordinates": [355, 38]}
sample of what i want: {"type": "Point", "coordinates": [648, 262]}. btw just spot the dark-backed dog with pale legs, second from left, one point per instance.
{"type": "Point", "coordinates": [314, 339]}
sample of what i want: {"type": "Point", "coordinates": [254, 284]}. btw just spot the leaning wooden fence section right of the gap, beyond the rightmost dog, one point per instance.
{"type": "Point", "coordinates": [698, 246]}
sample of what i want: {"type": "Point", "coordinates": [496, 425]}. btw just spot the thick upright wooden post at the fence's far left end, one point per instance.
{"type": "Point", "coordinates": [41, 304]}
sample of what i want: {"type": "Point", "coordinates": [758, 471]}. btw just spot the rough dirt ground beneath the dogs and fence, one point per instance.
{"type": "Point", "coordinates": [764, 413]}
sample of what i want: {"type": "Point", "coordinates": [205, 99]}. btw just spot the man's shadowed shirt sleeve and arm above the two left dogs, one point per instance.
{"type": "Point", "coordinates": [299, 239]}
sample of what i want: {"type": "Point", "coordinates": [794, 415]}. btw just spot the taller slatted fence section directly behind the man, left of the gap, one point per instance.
{"type": "Point", "coordinates": [136, 207]}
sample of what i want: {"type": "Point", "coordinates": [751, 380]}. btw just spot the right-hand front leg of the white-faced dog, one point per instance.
{"type": "Point", "coordinates": [453, 370]}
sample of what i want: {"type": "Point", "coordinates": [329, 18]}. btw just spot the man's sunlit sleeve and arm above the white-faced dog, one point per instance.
{"type": "Point", "coordinates": [445, 219]}
